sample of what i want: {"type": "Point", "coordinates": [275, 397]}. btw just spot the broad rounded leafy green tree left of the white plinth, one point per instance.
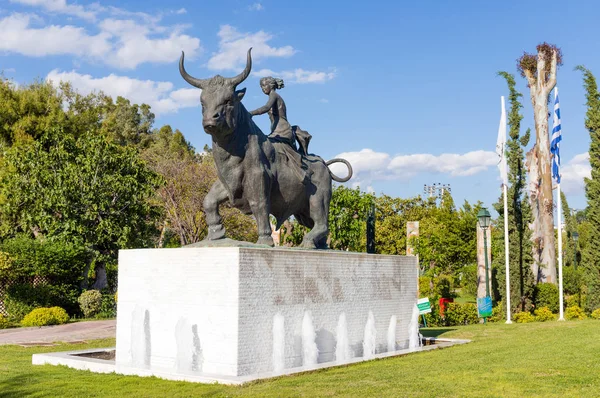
{"type": "Point", "coordinates": [85, 190]}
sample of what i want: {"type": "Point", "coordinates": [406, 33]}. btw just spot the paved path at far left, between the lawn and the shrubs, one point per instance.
{"type": "Point", "coordinates": [71, 332]}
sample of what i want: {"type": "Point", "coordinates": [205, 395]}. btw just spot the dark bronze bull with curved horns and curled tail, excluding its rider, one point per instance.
{"type": "Point", "coordinates": [253, 169]}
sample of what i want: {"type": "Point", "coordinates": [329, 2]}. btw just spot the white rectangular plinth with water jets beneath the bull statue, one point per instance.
{"type": "Point", "coordinates": [246, 311]}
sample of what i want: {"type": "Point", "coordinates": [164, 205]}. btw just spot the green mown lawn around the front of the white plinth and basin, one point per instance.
{"type": "Point", "coordinates": [533, 360]}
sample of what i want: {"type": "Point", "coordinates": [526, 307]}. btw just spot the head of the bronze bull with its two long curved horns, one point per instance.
{"type": "Point", "coordinates": [219, 99]}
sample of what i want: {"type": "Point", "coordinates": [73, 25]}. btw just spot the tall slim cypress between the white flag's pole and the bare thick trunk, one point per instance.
{"type": "Point", "coordinates": [519, 211]}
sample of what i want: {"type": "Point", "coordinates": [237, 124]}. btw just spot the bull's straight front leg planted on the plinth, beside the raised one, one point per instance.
{"type": "Point", "coordinates": [260, 204]}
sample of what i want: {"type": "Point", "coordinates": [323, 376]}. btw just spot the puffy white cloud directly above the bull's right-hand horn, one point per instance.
{"type": "Point", "coordinates": [233, 46]}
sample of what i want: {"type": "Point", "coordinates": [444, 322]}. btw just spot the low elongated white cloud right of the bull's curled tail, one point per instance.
{"type": "Point", "coordinates": [369, 166]}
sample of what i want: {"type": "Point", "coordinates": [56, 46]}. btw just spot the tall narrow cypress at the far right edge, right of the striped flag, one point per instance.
{"type": "Point", "coordinates": [590, 259]}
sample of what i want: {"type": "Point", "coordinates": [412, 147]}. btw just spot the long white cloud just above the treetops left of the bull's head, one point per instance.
{"type": "Point", "coordinates": [159, 95]}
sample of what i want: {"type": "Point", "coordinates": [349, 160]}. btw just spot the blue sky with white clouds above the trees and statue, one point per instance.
{"type": "Point", "coordinates": [407, 91]}
